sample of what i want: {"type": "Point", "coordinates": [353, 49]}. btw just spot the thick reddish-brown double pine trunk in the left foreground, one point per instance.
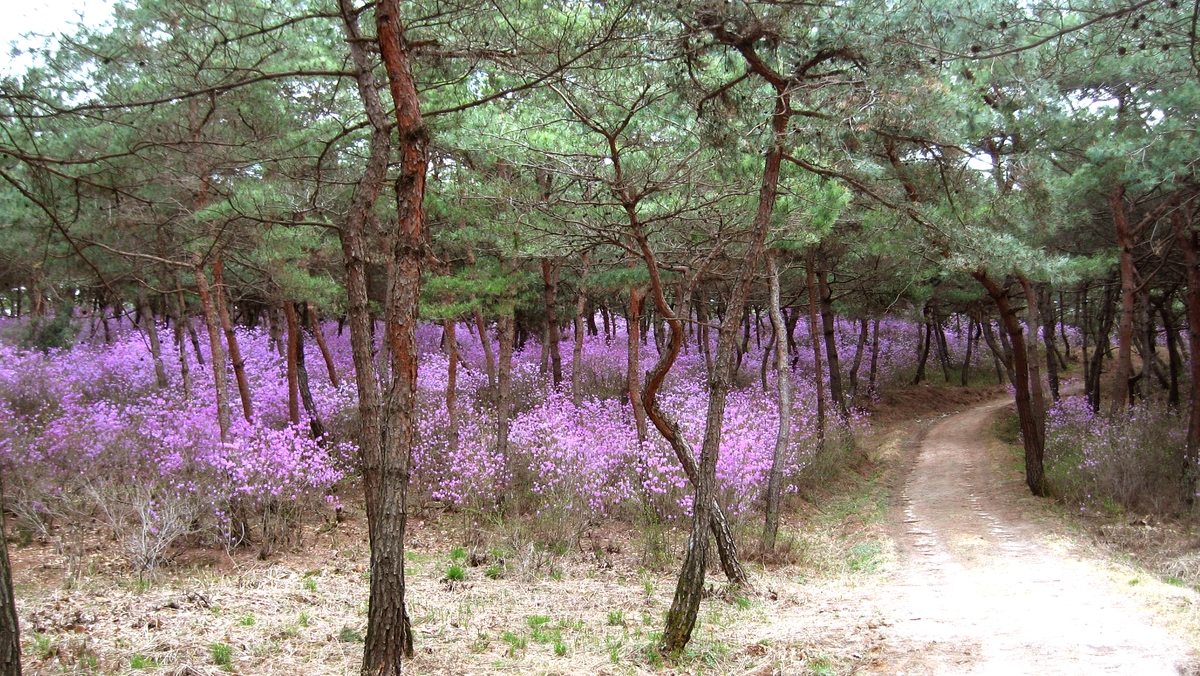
{"type": "Point", "coordinates": [387, 424]}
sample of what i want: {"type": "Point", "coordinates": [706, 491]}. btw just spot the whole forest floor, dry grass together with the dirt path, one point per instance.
{"type": "Point", "coordinates": [928, 559]}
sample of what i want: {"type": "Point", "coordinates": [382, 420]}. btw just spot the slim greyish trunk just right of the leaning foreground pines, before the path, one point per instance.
{"type": "Point", "coordinates": [784, 403]}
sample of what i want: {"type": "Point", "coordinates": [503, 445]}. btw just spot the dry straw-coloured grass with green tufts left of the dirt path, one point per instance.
{"type": "Point", "coordinates": [595, 609]}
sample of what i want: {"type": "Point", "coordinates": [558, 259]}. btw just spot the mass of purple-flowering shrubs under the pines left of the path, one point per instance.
{"type": "Point", "coordinates": [91, 435]}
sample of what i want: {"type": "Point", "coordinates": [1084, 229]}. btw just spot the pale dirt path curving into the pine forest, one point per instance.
{"type": "Point", "coordinates": [982, 589]}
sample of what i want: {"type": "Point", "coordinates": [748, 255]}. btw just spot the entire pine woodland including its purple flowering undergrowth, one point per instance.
{"type": "Point", "coordinates": [577, 259]}
